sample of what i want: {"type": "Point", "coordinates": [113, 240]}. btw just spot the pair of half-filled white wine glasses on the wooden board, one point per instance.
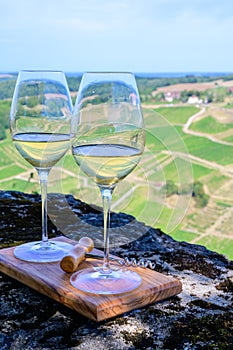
{"type": "Point", "coordinates": [108, 138]}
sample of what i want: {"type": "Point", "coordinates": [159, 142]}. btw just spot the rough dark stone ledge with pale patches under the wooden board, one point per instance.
{"type": "Point", "coordinates": [201, 317]}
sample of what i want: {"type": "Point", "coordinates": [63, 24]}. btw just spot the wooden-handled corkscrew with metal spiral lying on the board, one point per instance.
{"type": "Point", "coordinates": [80, 251]}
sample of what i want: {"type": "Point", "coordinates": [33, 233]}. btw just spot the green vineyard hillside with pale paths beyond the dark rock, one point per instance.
{"type": "Point", "coordinates": [183, 184]}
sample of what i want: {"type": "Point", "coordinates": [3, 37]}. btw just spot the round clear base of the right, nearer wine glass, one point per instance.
{"type": "Point", "coordinates": [98, 281]}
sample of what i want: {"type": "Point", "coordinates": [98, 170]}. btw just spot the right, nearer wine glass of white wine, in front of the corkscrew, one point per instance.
{"type": "Point", "coordinates": [108, 145]}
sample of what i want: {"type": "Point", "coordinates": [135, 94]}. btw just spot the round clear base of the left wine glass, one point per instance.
{"type": "Point", "coordinates": [42, 253]}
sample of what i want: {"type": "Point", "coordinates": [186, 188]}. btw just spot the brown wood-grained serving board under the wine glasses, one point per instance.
{"type": "Point", "coordinates": [50, 280]}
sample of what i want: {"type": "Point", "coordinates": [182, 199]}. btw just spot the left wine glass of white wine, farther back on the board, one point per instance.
{"type": "Point", "coordinates": [40, 121]}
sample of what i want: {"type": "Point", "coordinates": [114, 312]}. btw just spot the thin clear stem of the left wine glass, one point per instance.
{"type": "Point", "coordinates": [43, 175]}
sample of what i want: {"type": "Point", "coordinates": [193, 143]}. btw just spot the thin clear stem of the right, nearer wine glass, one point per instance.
{"type": "Point", "coordinates": [106, 198]}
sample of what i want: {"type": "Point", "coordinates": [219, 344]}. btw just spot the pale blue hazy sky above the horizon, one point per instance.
{"type": "Point", "coordinates": [117, 35]}
